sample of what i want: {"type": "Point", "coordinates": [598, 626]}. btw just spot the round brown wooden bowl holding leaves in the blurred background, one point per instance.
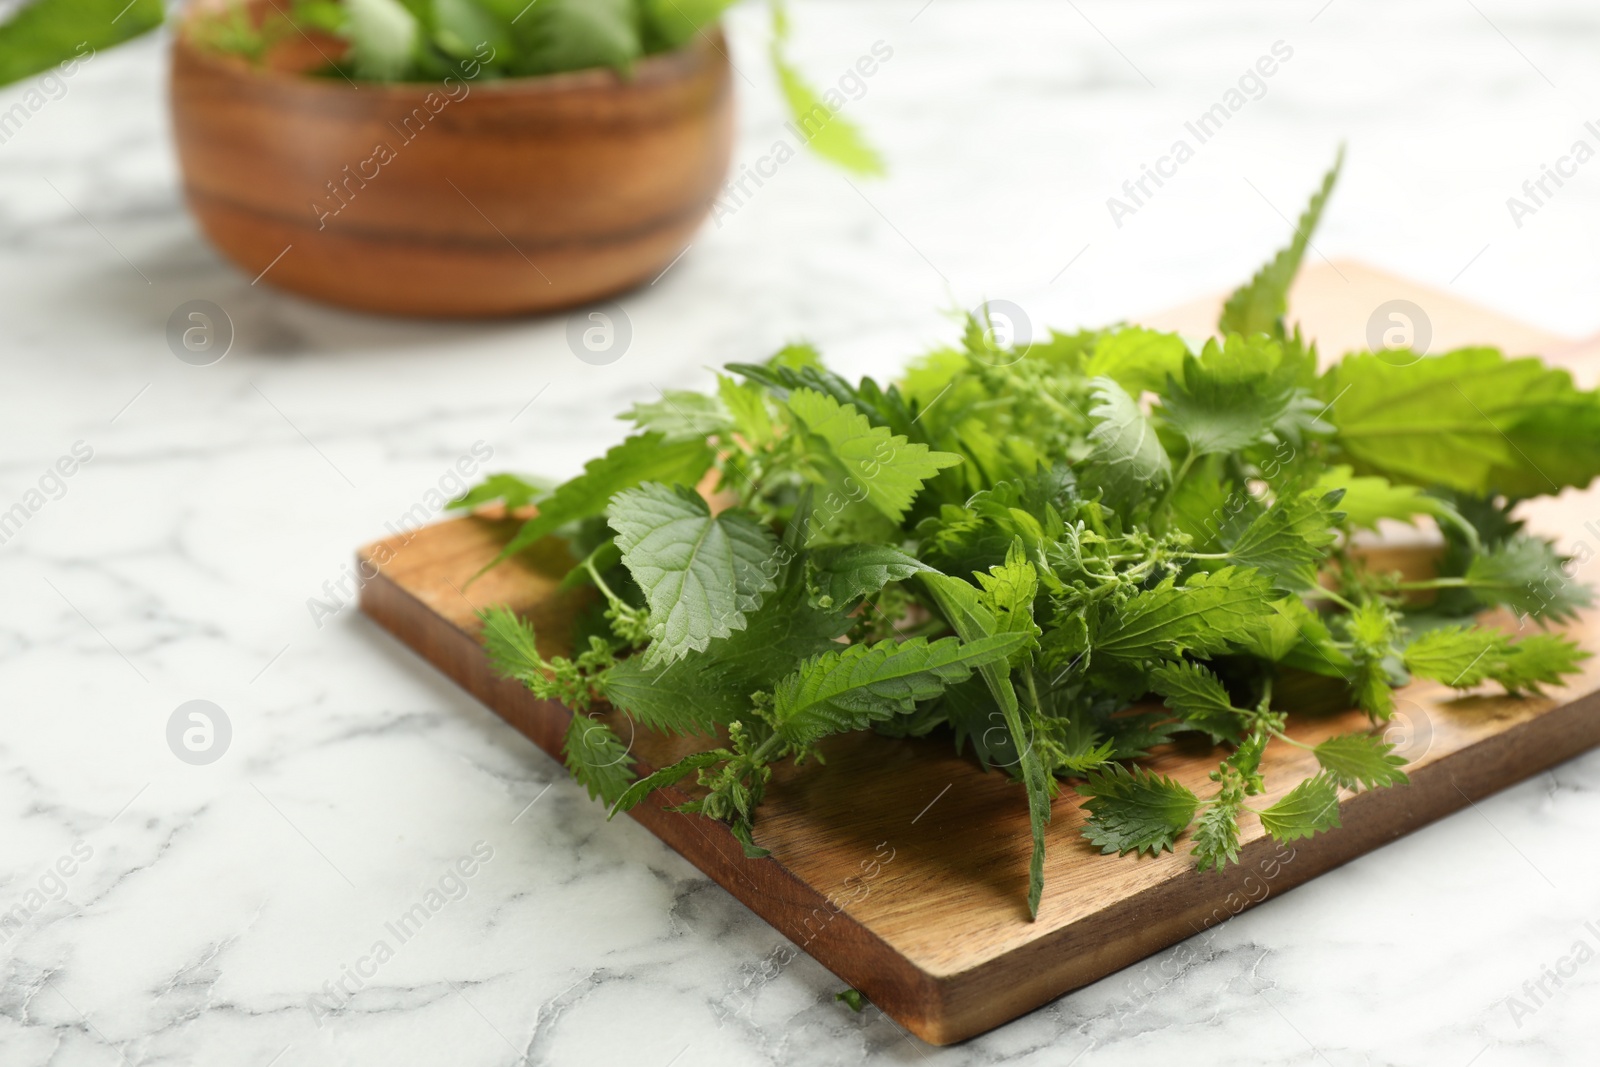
{"type": "Point", "coordinates": [460, 199]}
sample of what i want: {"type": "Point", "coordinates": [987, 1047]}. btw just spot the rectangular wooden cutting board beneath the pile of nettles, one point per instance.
{"type": "Point", "coordinates": [903, 868]}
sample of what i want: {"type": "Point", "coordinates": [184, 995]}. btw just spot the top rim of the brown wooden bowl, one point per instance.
{"type": "Point", "coordinates": [654, 71]}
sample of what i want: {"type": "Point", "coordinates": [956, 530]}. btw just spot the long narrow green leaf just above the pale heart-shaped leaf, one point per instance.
{"type": "Point", "coordinates": [641, 458]}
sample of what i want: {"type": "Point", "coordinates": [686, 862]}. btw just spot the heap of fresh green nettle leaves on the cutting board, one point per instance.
{"type": "Point", "coordinates": [1020, 549]}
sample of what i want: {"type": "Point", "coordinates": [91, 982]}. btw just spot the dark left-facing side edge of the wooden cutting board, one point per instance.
{"type": "Point", "coordinates": [790, 905]}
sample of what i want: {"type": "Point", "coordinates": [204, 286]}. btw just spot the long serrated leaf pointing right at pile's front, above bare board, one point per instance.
{"type": "Point", "coordinates": [866, 684]}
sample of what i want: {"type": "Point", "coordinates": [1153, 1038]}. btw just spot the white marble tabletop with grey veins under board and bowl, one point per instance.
{"type": "Point", "coordinates": [212, 911]}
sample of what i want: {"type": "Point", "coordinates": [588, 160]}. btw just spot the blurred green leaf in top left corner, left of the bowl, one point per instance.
{"type": "Point", "coordinates": [50, 33]}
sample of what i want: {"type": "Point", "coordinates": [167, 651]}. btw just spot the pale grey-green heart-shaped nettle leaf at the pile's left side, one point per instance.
{"type": "Point", "coordinates": [702, 575]}
